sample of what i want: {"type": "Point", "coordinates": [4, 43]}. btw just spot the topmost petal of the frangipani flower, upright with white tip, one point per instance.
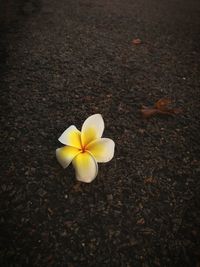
{"type": "Point", "coordinates": [92, 129]}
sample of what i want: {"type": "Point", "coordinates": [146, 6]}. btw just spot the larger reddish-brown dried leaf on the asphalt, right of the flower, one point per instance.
{"type": "Point", "coordinates": [160, 107]}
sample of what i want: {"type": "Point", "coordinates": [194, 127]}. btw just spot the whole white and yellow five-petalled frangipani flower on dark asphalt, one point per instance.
{"type": "Point", "coordinates": [86, 148]}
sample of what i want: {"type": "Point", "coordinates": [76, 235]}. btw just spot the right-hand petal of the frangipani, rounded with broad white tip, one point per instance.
{"type": "Point", "coordinates": [102, 149]}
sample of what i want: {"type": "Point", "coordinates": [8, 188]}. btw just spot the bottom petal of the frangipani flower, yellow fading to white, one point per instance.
{"type": "Point", "coordinates": [86, 167]}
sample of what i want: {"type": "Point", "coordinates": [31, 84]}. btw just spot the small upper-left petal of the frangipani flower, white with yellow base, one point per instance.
{"type": "Point", "coordinates": [71, 137]}
